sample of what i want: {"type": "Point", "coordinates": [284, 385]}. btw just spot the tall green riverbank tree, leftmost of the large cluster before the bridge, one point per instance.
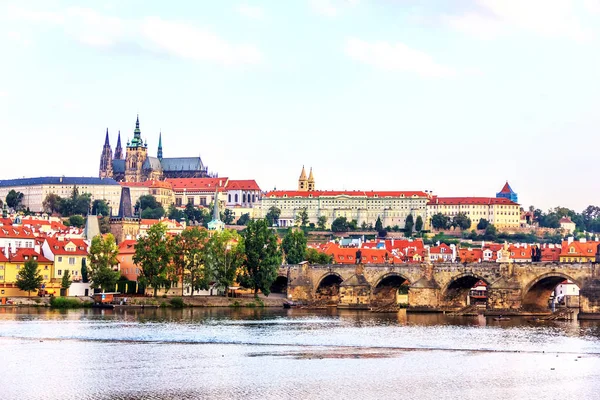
{"type": "Point", "coordinates": [153, 255]}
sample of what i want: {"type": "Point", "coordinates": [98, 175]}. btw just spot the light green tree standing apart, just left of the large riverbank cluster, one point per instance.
{"type": "Point", "coordinates": [103, 259]}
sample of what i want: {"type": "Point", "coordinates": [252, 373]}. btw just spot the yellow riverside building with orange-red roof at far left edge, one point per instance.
{"type": "Point", "coordinates": [10, 265]}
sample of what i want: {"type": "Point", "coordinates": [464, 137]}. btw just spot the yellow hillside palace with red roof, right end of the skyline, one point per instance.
{"type": "Point", "coordinates": [500, 212]}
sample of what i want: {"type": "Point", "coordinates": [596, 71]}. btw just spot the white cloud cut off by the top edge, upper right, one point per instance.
{"type": "Point", "coordinates": [492, 18]}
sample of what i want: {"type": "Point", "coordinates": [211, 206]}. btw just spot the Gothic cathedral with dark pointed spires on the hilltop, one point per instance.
{"type": "Point", "coordinates": [137, 166]}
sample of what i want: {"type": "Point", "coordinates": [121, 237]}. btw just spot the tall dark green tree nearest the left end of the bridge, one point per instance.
{"type": "Point", "coordinates": [263, 257]}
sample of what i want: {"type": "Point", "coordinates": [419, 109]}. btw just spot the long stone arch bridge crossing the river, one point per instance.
{"type": "Point", "coordinates": [513, 287]}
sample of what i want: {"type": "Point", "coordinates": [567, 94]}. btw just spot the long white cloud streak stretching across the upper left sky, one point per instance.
{"type": "Point", "coordinates": [174, 38]}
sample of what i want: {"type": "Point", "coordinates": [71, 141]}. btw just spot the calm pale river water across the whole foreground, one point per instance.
{"type": "Point", "coordinates": [217, 353]}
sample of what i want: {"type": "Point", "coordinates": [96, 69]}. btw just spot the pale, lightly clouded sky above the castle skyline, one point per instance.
{"type": "Point", "coordinates": [456, 97]}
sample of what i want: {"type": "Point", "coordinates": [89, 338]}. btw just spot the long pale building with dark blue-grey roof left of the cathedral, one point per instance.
{"type": "Point", "coordinates": [35, 190]}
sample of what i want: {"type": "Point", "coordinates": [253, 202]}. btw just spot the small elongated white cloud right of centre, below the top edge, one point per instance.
{"type": "Point", "coordinates": [395, 57]}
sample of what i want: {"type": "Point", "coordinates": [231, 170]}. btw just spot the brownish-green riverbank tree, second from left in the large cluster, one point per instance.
{"type": "Point", "coordinates": [188, 252]}
